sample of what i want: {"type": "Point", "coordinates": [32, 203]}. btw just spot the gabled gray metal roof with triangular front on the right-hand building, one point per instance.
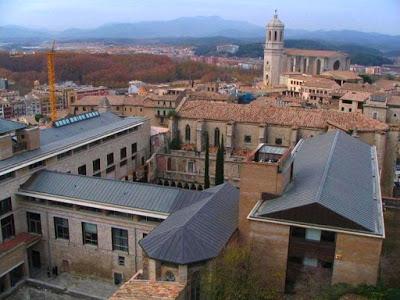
{"type": "Point", "coordinates": [337, 172]}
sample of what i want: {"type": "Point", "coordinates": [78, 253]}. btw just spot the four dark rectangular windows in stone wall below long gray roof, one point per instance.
{"type": "Point", "coordinates": [89, 231]}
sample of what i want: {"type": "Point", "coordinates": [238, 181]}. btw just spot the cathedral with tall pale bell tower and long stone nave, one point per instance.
{"type": "Point", "coordinates": [278, 60]}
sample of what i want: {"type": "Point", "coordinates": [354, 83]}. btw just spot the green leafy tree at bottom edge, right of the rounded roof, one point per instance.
{"type": "Point", "coordinates": [235, 275]}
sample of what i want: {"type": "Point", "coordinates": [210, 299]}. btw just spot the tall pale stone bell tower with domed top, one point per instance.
{"type": "Point", "coordinates": [273, 51]}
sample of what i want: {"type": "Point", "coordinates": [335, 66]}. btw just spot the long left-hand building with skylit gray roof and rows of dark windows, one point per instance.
{"type": "Point", "coordinates": [93, 144]}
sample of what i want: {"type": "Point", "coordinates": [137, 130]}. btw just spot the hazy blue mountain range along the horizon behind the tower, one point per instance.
{"type": "Point", "coordinates": [196, 27]}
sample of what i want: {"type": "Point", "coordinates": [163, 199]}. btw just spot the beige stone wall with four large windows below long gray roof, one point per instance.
{"type": "Point", "coordinates": [74, 256]}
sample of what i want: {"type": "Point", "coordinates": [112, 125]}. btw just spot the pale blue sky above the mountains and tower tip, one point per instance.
{"type": "Point", "coordinates": [381, 16]}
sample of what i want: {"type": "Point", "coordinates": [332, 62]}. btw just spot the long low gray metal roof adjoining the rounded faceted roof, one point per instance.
{"type": "Point", "coordinates": [119, 193]}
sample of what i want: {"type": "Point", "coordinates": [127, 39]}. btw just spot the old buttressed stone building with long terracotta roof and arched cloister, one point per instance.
{"type": "Point", "coordinates": [244, 127]}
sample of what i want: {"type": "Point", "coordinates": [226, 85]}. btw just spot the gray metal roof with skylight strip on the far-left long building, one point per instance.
{"type": "Point", "coordinates": [58, 139]}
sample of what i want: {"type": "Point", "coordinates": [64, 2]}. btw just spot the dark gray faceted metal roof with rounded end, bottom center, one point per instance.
{"type": "Point", "coordinates": [197, 232]}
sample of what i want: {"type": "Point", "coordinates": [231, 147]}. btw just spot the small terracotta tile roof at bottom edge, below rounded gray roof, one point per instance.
{"type": "Point", "coordinates": [148, 290]}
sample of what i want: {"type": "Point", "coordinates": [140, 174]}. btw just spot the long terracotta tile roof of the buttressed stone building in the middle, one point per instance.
{"type": "Point", "coordinates": [284, 116]}
